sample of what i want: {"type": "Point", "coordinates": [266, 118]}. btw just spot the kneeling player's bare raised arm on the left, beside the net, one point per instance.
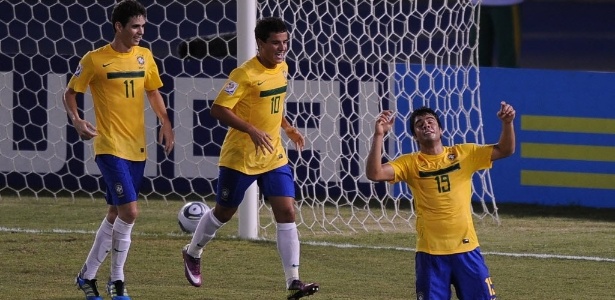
{"type": "Point", "coordinates": [374, 169]}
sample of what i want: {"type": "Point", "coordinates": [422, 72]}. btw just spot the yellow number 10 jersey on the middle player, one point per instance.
{"type": "Point", "coordinates": [256, 95]}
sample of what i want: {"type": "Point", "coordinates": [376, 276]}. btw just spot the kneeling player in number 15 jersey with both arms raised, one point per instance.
{"type": "Point", "coordinates": [440, 179]}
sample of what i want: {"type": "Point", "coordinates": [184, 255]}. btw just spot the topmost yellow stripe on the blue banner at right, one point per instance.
{"type": "Point", "coordinates": [568, 124]}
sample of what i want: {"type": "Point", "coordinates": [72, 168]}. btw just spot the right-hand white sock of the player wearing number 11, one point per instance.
{"type": "Point", "coordinates": [121, 245]}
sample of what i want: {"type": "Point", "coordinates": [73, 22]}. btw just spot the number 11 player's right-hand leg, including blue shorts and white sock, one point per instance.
{"type": "Point", "coordinates": [123, 179]}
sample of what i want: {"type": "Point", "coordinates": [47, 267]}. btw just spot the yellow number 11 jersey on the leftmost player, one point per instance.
{"type": "Point", "coordinates": [118, 82]}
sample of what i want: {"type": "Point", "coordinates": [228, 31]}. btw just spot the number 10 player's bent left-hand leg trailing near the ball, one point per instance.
{"type": "Point", "coordinates": [231, 188]}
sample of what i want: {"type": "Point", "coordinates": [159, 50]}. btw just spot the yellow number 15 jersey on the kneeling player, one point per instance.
{"type": "Point", "coordinates": [442, 189]}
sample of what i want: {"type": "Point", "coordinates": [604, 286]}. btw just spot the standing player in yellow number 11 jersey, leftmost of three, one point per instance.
{"type": "Point", "coordinates": [119, 76]}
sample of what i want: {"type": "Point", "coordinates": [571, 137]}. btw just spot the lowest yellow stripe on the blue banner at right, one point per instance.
{"type": "Point", "coordinates": [568, 179]}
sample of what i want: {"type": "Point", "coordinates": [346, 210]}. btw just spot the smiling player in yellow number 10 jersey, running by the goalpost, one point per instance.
{"type": "Point", "coordinates": [251, 103]}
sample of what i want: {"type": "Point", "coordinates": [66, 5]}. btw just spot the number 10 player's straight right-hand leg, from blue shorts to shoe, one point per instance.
{"type": "Point", "coordinates": [278, 186]}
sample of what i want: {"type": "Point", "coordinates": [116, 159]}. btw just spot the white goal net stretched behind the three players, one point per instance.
{"type": "Point", "coordinates": [348, 61]}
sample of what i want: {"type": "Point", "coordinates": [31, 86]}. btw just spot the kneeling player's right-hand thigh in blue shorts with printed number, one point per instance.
{"type": "Point", "coordinates": [471, 277]}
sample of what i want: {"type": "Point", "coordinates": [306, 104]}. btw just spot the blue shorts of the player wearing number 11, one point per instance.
{"type": "Point", "coordinates": [122, 177]}
